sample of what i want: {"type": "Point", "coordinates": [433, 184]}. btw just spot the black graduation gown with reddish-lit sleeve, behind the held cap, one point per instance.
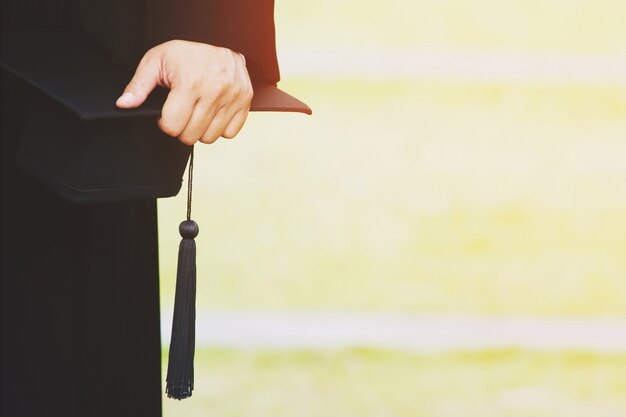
{"type": "Point", "coordinates": [80, 294]}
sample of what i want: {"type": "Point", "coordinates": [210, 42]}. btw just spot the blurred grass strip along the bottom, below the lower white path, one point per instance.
{"type": "Point", "coordinates": [370, 383]}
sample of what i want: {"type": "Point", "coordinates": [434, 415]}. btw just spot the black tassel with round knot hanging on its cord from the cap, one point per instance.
{"type": "Point", "coordinates": [182, 344]}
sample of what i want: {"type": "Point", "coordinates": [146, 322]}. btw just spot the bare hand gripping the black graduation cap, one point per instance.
{"type": "Point", "coordinates": [210, 90]}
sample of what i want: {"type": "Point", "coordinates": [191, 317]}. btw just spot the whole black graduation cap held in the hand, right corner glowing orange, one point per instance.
{"type": "Point", "coordinates": [79, 143]}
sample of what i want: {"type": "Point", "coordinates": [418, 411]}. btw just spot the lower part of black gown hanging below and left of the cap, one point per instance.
{"type": "Point", "coordinates": [80, 301]}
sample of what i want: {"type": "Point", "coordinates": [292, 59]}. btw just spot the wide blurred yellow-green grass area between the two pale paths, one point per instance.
{"type": "Point", "coordinates": [416, 195]}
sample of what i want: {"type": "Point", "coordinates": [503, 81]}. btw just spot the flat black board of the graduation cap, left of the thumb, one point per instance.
{"type": "Point", "coordinates": [68, 69]}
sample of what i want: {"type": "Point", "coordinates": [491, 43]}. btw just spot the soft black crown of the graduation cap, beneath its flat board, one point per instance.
{"type": "Point", "coordinates": [100, 160]}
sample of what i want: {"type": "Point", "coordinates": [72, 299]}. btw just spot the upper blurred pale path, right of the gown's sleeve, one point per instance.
{"type": "Point", "coordinates": [462, 65]}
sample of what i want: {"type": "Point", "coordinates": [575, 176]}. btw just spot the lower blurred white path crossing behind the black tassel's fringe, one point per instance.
{"type": "Point", "coordinates": [419, 333]}
